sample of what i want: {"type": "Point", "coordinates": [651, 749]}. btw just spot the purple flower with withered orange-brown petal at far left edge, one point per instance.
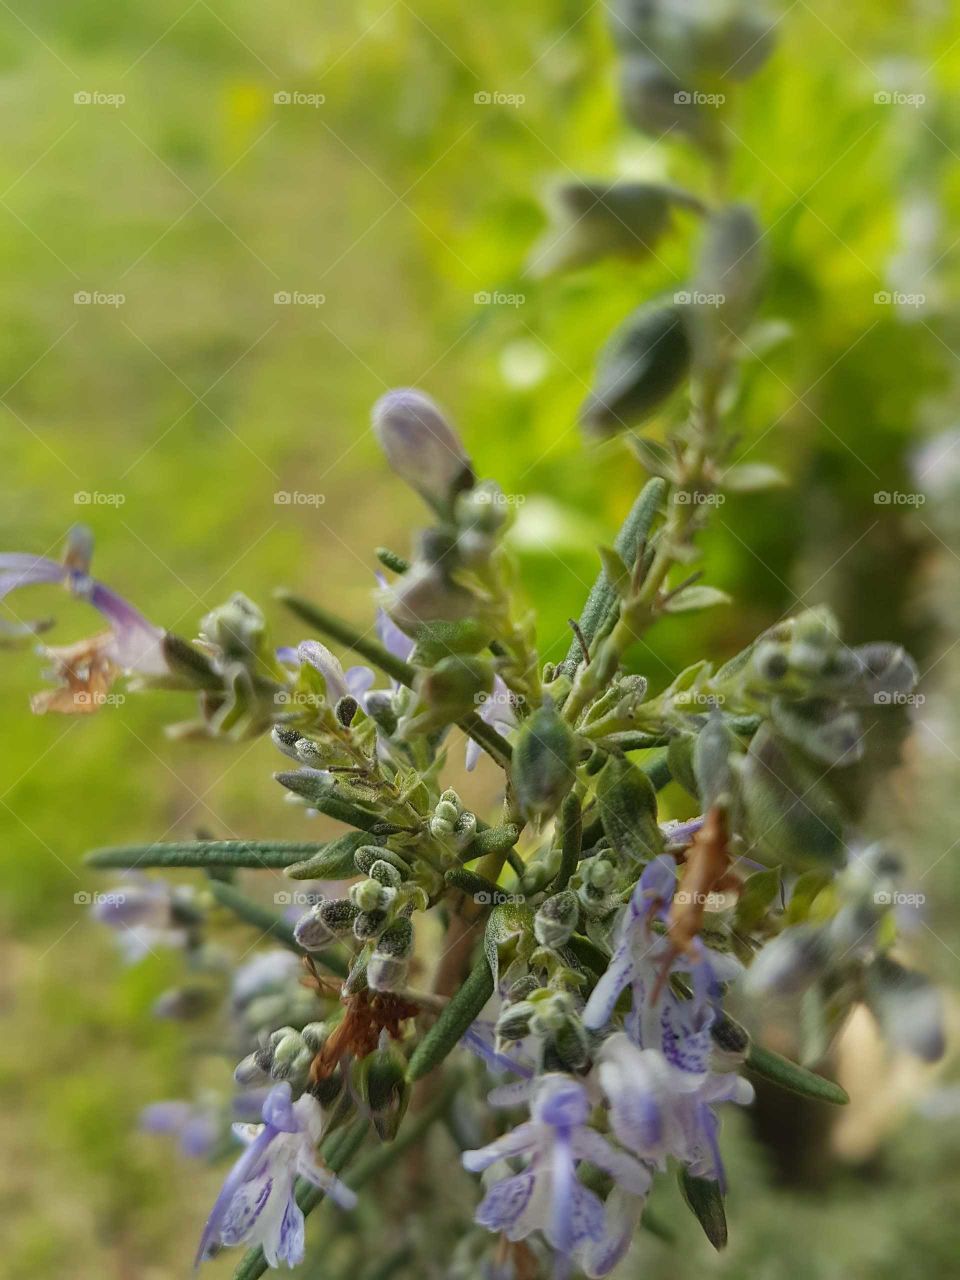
{"type": "Point", "coordinates": [88, 669]}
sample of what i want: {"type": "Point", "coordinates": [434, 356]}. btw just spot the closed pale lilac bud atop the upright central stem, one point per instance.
{"type": "Point", "coordinates": [422, 446]}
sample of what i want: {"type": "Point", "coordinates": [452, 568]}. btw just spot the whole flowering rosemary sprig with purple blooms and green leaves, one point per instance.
{"type": "Point", "coordinates": [583, 940]}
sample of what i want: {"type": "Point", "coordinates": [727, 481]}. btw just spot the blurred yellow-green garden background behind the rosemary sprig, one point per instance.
{"type": "Point", "coordinates": [184, 410]}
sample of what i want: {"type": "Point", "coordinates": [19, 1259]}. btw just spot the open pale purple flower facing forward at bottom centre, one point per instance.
{"type": "Point", "coordinates": [547, 1196]}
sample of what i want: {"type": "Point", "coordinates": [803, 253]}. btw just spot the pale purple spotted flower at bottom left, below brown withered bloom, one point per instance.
{"type": "Point", "coordinates": [258, 1203]}
